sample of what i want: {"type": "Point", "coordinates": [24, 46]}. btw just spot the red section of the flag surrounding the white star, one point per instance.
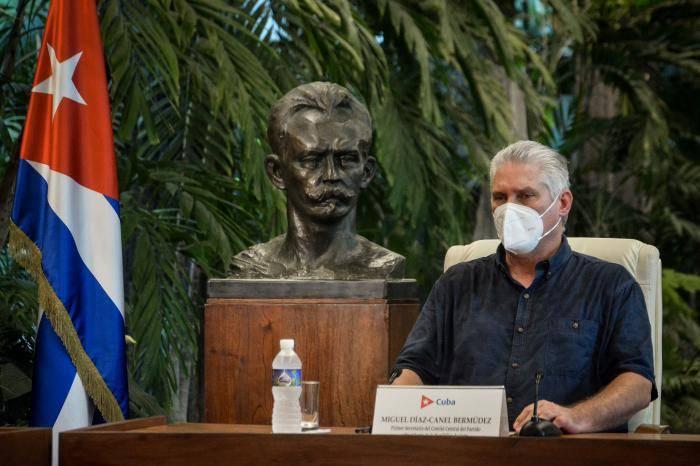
{"type": "Point", "coordinates": [77, 139]}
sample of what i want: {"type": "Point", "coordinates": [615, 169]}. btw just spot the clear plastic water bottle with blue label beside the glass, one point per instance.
{"type": "Point", "coordinates": [286, 389]}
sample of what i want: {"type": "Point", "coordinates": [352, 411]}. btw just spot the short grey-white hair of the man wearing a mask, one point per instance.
{"type": "Point", "coordinates": [553, 167]}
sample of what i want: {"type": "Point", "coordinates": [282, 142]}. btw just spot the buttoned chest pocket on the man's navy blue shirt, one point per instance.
{"type": "Point", "coordinates": [570, 347]}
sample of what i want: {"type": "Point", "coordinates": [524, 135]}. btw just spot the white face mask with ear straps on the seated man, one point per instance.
{"type": "Point", "coordinates": [520, 228]}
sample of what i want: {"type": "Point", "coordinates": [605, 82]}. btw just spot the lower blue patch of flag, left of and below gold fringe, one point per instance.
{"type": "Point", "coordinates": [53, 376]}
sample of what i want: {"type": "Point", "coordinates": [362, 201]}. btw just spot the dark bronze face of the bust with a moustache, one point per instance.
{"type": "Point", "coordinates": [325, 166]}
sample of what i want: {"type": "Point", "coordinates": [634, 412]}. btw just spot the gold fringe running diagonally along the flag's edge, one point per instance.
{"type": "Point", "coordinates": [28, 255]}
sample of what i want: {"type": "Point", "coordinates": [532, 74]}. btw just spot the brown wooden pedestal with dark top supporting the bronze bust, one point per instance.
{"type": "Point", "coordinates": [349, 343]}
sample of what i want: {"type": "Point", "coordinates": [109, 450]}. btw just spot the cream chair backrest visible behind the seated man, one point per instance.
{"type": "Point", "coordinates": [640, 259]}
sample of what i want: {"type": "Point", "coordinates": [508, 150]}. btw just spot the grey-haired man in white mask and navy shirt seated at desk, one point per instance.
{"type": "Point", "coordinates": [537, 307]}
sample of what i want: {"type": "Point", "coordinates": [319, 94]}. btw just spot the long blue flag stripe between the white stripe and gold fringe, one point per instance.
{"type": "Point", "coordinates": [95, 316]}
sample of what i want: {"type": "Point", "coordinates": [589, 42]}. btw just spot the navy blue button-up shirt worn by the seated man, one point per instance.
{"type": "Point", "coordinates": [582, 322]}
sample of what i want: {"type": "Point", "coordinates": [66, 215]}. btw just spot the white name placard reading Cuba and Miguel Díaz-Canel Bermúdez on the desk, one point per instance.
{"type": "Point", "coordinates": [440, 410]}
